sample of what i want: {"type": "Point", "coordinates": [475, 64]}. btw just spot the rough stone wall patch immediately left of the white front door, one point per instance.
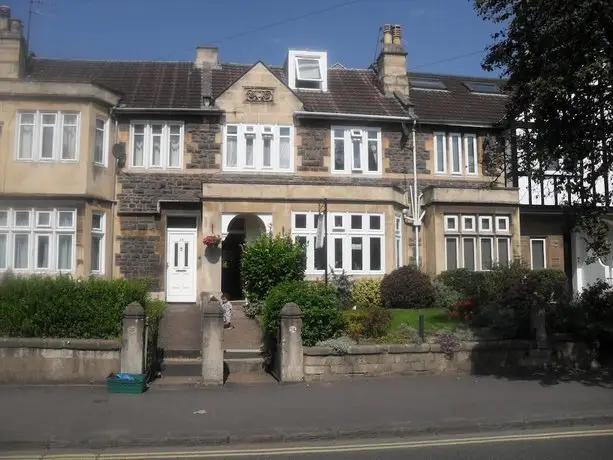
{"type": "Point", "coordinates": [141, 249]}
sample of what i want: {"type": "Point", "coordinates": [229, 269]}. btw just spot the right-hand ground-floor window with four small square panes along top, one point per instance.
{"type": "Point", "coordinates": [476, 247]}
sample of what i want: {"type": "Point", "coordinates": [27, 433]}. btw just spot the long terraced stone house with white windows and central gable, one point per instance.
{"type": "Point", "coordinates": [121, 169]}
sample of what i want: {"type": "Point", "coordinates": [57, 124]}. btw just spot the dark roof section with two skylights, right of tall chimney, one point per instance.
{"type": "Point", "coordinates": [457, 104]}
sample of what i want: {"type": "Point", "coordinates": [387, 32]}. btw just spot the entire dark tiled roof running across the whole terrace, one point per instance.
{"type": "Point", "coordinates": [154, 84]}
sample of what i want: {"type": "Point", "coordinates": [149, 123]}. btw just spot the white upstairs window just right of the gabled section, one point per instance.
{"type": "Point", "coordinates": [356, 151]}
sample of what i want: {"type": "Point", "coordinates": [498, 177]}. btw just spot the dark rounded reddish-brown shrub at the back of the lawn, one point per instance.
{"type": "Point", "coordinates": [407, 287]}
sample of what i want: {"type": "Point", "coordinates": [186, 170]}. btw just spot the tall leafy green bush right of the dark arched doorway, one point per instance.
{"type": "Point", "coordinates": [268, 261]}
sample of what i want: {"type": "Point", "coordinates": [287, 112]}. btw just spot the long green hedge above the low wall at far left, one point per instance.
{"type": "Point", "coordinates": [62, 307]}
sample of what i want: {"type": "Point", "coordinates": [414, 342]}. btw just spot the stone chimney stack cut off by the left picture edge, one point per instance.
{"type": "Point", "coordinates": [13, 50]}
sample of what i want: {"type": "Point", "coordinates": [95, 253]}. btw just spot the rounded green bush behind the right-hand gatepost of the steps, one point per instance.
{"type": "Point", "coordinates": [321, 314]}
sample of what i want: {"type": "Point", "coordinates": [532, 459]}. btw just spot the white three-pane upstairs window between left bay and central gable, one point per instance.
{"type": "Point", "coordinates": [156, 145]}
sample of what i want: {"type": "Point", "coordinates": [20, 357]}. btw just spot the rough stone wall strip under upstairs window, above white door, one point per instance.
{"type": "Point", "coordinates": [141, 193]}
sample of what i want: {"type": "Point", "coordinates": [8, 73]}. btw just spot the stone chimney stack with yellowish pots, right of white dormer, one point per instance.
{"type": "Point", "coordinates": [392, 63]}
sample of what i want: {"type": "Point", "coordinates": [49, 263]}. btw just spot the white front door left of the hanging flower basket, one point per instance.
{"type": "Point", "coordinates": [181, 266]}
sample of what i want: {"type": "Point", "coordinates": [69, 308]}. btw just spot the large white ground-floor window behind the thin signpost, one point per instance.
{"type": "Point", "coordinates": [356, 242]}
